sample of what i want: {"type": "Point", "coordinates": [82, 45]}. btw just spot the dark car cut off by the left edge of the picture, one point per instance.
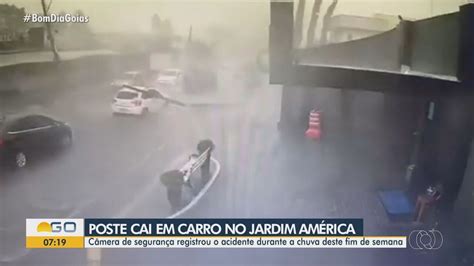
{"type": "Point", "coordinates": [31, 137]}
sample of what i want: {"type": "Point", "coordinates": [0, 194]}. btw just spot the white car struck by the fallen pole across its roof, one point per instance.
{"type": "Point", "coordinates": [137, 100]}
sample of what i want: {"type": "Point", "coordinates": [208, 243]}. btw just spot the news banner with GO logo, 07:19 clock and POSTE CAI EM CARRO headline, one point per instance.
{"type": "Point", "coordinates": [204, 233]}
